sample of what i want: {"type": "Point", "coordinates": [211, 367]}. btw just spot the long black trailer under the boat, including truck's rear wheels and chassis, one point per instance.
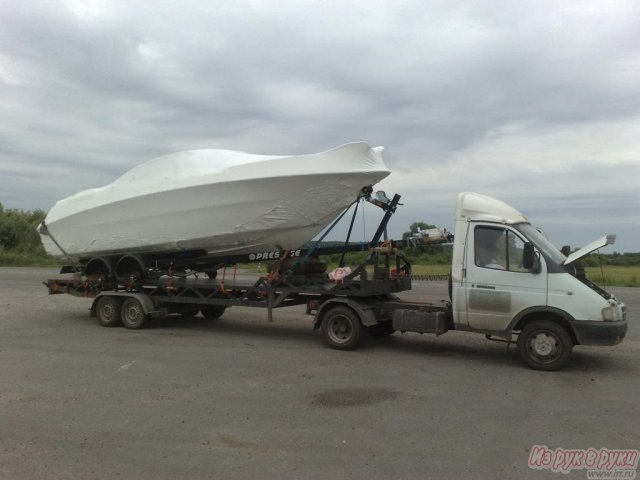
{"type": "Point", "coordinates": [343, 308]}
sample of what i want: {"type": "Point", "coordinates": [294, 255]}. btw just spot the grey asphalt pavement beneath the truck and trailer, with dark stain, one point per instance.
{"type": "Point", "coordinates": [242, 398]}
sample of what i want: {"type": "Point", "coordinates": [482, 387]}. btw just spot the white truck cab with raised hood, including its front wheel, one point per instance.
{"type": "Point", "coordinates": [507, 279]}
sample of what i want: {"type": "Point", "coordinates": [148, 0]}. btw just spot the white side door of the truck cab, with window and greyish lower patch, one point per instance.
{"type": "Point", "coordinates": [496, 285]}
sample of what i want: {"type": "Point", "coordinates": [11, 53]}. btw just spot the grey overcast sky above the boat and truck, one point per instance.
{"type": "Point", "coordinates": [536, 103]}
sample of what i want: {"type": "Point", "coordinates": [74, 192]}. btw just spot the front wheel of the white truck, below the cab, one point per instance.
{"type": "Point", "coordinates": [544, 345]}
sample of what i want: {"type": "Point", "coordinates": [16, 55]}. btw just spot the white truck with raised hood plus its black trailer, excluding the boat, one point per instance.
{"type": "Point", "coordinates": [508, 282]}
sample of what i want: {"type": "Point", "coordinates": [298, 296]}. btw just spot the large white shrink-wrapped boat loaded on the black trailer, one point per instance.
{"type": "Point", "coordinates": [214, 201]}
